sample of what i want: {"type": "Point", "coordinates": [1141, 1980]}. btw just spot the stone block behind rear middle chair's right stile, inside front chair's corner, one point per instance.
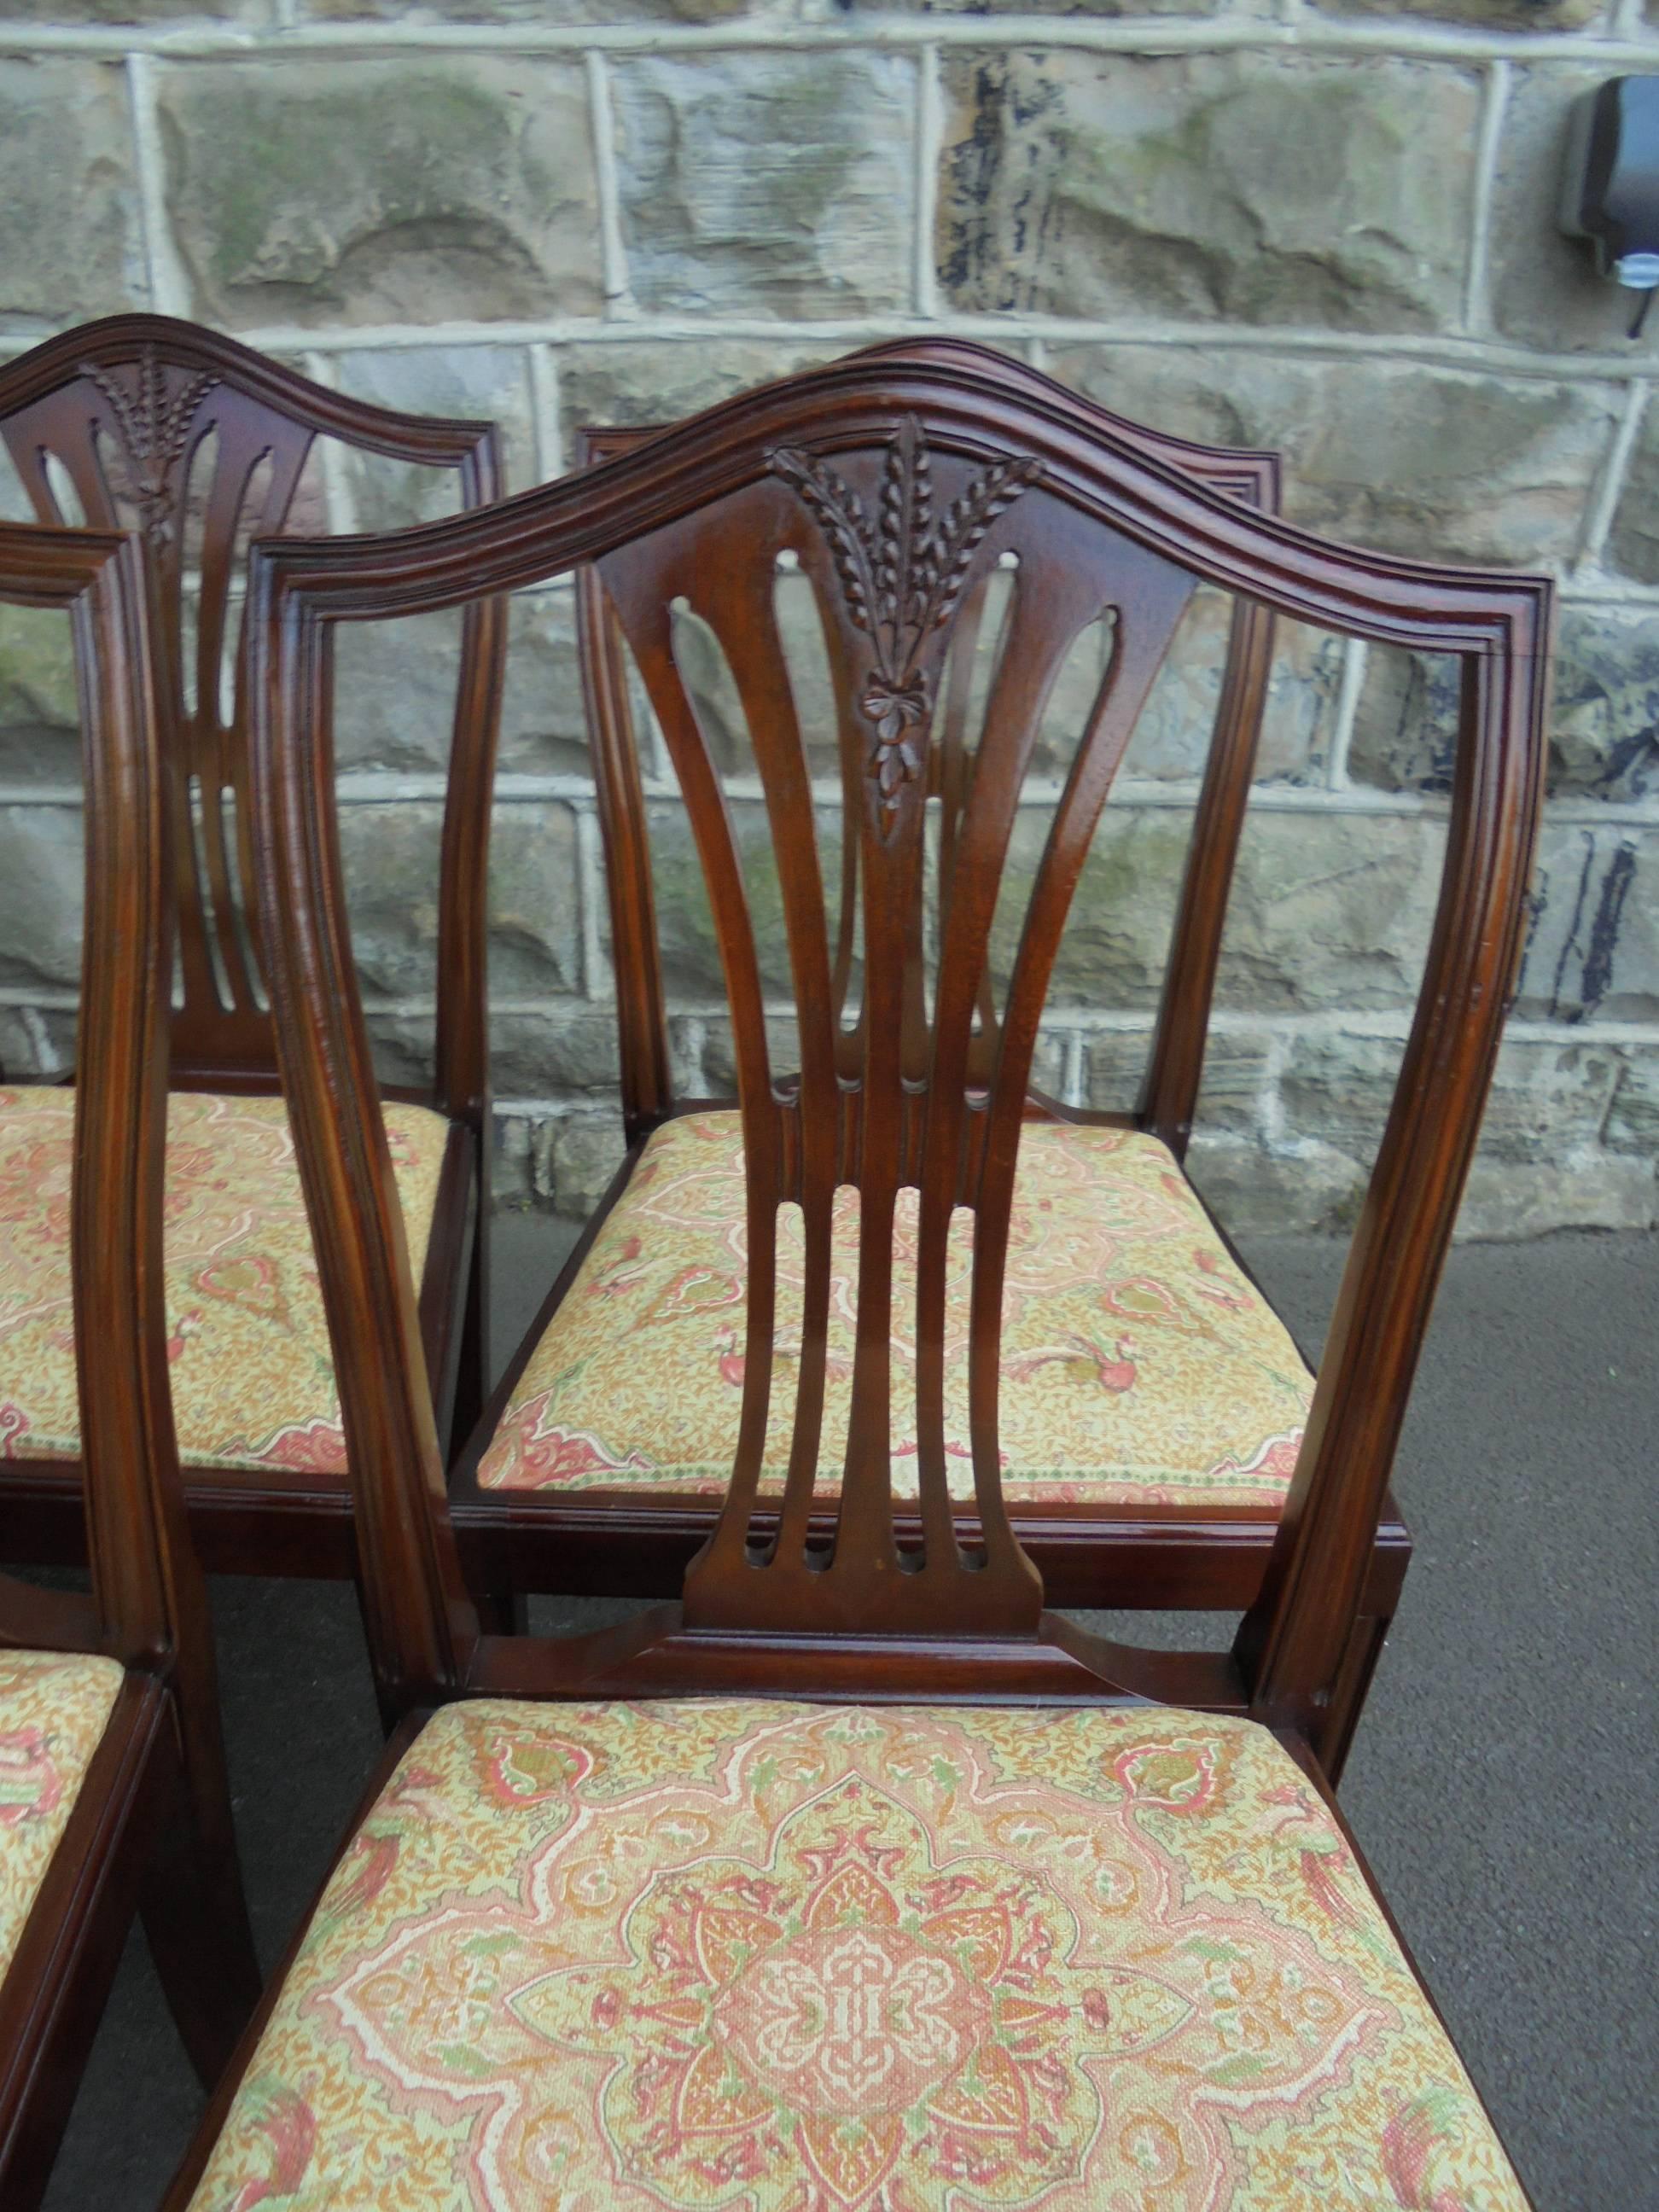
{"type": "Point", "coordinates": [1178, 720]}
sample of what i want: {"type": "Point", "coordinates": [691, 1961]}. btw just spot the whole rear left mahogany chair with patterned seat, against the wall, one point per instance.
{"type": "Point", "coordinates": [200, 444]}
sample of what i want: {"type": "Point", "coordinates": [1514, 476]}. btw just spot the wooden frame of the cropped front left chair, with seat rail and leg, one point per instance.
{"type": "Point", "coordinates": [154, 1817]}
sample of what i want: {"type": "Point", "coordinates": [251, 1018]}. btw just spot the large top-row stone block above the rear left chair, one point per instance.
{"type": "Point", "coordinates": [452, 189]}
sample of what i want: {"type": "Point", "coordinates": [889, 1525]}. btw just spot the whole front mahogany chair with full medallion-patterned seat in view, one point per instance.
{"type": "Point", "coordinates": [857, 1879]}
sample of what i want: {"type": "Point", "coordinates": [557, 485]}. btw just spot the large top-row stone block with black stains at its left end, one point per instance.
{"type": "Point", "coordinates": [1264, 189]}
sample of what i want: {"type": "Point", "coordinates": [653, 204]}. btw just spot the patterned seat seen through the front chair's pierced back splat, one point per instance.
{"type": "Point", "coordinates": [1138, 1366]}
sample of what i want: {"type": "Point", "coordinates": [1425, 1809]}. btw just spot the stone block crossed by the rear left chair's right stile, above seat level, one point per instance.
{"type": "Point", "coordinates": [390, 864]}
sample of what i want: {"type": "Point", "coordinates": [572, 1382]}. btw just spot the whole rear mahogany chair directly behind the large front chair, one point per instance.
{"type": "Point", "coordinates": [1151, 1463]}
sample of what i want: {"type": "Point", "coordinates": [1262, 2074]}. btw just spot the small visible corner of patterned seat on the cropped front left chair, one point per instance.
{"type": "Point", "coordinates": [54, 1709]}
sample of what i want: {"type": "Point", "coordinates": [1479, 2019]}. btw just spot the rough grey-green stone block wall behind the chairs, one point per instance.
{"type": "Point", "coordinates": [1315, 225]}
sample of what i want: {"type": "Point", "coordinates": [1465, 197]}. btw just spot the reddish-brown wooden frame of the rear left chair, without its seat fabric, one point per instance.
{"type": "Point", "coordinates": [202, 444]}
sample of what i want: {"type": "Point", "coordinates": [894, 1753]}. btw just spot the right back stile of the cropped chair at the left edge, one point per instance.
{"type": "Point", "coordinates": [149, 1598]}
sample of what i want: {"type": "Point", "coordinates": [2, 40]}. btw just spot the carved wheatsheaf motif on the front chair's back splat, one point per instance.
{"type": "Point", "coordinates": [901, 576]}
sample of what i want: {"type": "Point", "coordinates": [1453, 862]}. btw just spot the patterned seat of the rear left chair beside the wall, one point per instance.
{"type": "Point", "coordinates": [253, 1377]}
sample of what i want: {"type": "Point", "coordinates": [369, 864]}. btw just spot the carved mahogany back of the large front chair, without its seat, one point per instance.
{"type": "Point", "coordinates": [897, 486]}
